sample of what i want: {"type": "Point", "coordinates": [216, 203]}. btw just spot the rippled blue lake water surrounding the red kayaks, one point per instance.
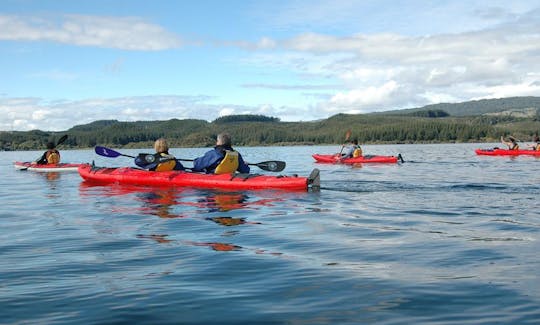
{"type": "Point", "coordinates": [448, 237]}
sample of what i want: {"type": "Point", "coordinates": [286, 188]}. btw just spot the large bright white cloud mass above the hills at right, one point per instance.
{"type": "Point", "coordinates": [389, 71]}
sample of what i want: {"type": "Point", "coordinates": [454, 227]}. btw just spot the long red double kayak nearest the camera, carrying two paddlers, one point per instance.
{"type": "Point", "coordinates": [135, 176]}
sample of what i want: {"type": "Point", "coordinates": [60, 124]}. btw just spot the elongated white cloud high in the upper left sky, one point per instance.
{"type": "Point", "coordinates": [126, 33]}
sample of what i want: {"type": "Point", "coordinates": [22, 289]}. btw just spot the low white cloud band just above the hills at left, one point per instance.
{"type": "Point", "coordinates": [25, 114]}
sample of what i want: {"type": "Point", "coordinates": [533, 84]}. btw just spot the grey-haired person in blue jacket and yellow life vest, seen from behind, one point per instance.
{"type": "Point", "coordinates": [223, 159]}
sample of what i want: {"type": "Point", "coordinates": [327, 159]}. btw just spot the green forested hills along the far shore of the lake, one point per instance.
{"type": "Point", "coordinates": [473, 121]}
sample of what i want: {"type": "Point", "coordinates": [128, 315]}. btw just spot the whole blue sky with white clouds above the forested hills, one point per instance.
{"type": "Point", "coordinates": [65, 63]}
